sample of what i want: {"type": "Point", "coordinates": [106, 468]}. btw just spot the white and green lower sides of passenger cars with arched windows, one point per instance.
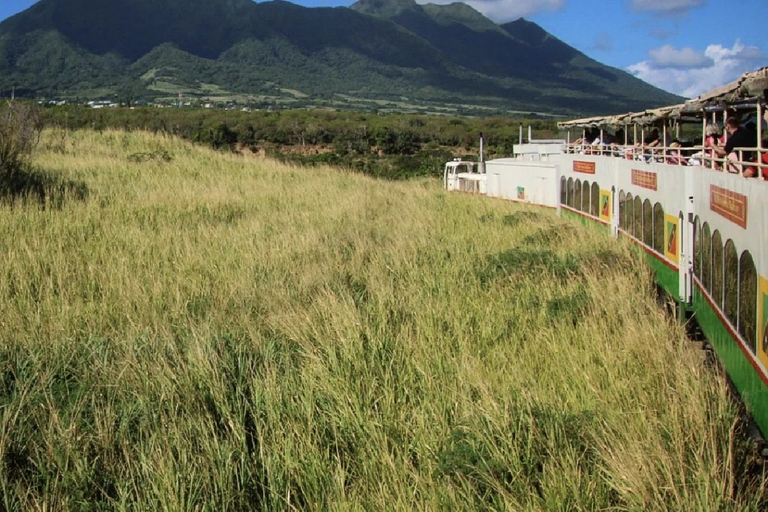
{"type": "Point", "coordinates": [706, 237]}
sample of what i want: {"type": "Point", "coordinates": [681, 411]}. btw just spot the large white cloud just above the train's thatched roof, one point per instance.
{"type": "Point", "coordinates": [670, 70]}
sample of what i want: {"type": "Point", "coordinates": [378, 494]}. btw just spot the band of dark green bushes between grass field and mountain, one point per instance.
{"type": "Point", "coordinates": [388, 146]}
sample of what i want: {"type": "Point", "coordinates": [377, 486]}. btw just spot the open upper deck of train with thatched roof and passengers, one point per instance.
{"type": "Point", "coordinates": [687, 134]}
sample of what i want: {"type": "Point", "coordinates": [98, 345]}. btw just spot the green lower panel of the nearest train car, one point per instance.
{"type": "Point", "coordinates": [744, 376]}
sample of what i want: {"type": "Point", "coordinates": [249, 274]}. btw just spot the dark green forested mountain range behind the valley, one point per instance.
{"type": "Point", "coordinates": [393, 51]}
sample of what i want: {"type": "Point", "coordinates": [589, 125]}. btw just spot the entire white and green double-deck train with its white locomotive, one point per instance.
{"type": "Point", "coordinates": [704, 230]}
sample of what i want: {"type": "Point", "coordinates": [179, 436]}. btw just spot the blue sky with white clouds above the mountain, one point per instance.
{"type": "Point", "coordinates": [683, 46]}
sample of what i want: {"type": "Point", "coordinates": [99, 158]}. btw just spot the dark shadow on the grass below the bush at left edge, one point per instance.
{"type": "Point", "coordinates": [35, 186]}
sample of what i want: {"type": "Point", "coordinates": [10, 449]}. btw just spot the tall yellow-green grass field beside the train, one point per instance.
{"type": "Point", "coordinates": [188, 330]}
